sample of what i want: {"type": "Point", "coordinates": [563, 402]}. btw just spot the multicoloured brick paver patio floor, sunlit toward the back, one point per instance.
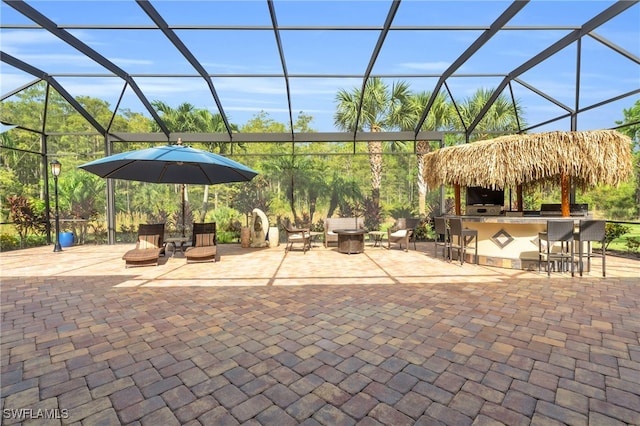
{"type": "Point", "coordinates": [263, 337]}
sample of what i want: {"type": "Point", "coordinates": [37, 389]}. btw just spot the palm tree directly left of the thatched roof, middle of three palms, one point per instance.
{"type": "Point", "coordinates": [439, 117]}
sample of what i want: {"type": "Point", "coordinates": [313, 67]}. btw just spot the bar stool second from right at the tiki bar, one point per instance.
{"type": "Point", "coordinates": [557, 231]}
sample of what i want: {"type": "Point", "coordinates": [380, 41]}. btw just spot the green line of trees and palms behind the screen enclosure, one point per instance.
{"type": "Point", "coordinates": [379, 180]}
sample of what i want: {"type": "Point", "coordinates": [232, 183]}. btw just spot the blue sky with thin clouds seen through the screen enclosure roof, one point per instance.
{"type": "Point", "coordinates": [253, 53]}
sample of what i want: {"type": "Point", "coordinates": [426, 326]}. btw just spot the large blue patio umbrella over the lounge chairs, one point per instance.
{"type": "Point", "coordinates": [177, 164]}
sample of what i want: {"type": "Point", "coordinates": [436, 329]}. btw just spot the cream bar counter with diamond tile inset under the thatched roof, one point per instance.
{"type": "Point", "coordinates": [509, 241]}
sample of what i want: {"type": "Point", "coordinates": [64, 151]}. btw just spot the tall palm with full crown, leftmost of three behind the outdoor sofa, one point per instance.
{"type": "Point", "coordinates": [383, 108]}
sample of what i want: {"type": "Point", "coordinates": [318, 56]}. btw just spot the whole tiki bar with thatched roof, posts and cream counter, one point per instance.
{"type": "Point", "coordinates": [508, 237]}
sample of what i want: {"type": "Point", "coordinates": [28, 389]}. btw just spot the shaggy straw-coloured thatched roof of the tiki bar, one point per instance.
{"type": "Point", "coordinates": [589, 158]}
